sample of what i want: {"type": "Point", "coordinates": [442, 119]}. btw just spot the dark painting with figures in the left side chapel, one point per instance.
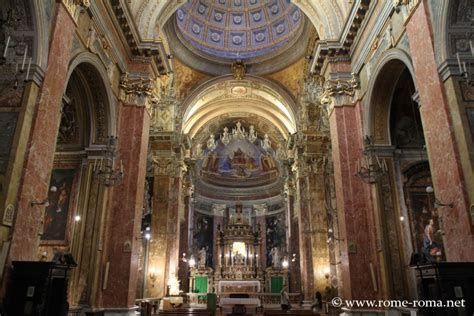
{"type": "Point", "coordinates": [57, 213]}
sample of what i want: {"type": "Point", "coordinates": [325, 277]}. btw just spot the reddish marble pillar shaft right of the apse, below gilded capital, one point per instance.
{"type": "Point", "coordinates": [356, 225]}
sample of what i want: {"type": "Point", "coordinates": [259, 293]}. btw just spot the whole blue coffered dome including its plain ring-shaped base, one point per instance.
{"type": "Point", "coordinates": [210, 34]}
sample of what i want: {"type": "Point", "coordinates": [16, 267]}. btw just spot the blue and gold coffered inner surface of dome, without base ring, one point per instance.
{"type": "Point", "coordinates": [239, 29]}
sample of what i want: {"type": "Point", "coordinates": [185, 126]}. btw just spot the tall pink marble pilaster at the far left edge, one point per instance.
{"type": "Point", "coordinates": [42, 144]}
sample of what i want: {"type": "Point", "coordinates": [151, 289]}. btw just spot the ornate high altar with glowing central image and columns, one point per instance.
{"type": "Point", "coordinates": [238, 267]}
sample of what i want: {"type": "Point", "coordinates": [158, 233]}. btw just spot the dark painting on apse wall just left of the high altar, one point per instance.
{"type": "Point", "coordinates": [203, 235]}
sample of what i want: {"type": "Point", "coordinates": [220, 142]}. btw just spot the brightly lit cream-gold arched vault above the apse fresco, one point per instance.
{"type": "Point", "coordinates": [224, 95]}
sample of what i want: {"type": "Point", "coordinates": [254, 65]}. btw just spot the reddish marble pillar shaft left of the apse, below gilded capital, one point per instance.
{"type": "Point", "coordinates": [122, 241]}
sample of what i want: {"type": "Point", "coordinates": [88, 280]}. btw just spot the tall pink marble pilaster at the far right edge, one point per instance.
{"type": "Point", "coordinates": [446, 170]}
